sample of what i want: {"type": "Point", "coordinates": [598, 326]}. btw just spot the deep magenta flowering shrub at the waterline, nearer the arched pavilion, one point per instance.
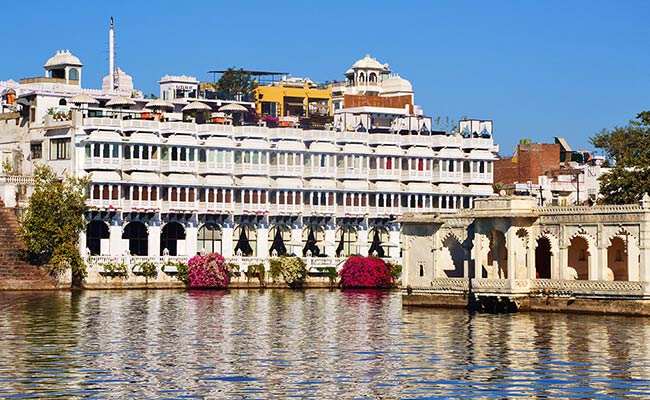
{"type": "Point", "coordinates": [365, 272]}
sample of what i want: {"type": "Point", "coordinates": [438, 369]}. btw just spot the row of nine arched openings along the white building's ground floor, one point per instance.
{"type": "Point", "coordinates": [210, 238]}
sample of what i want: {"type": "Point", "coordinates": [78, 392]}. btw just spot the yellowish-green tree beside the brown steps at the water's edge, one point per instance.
{"type": "Point", "coordinates": [53, 220]}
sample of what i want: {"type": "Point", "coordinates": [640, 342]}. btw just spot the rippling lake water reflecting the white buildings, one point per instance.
{"type": "Point", "coordinates": [316, 344]}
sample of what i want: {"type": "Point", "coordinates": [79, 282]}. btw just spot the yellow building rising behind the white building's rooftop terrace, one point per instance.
{"type": "Point", "coordinates": [294, 97]}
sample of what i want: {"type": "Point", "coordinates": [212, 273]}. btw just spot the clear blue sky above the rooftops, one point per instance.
{"type": "Point", "coordinates": [537, 69]}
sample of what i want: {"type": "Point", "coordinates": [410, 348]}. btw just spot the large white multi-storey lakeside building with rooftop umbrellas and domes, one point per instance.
{"type": "Point", "coordinates": [173, 177]}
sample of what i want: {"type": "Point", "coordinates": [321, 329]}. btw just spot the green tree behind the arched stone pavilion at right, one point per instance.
{"type": "Point", "coordinates": [628, 147]}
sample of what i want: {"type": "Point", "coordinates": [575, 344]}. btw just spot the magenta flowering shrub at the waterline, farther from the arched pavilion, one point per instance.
{"type": "Point", "coordinates": [208, 271]}
